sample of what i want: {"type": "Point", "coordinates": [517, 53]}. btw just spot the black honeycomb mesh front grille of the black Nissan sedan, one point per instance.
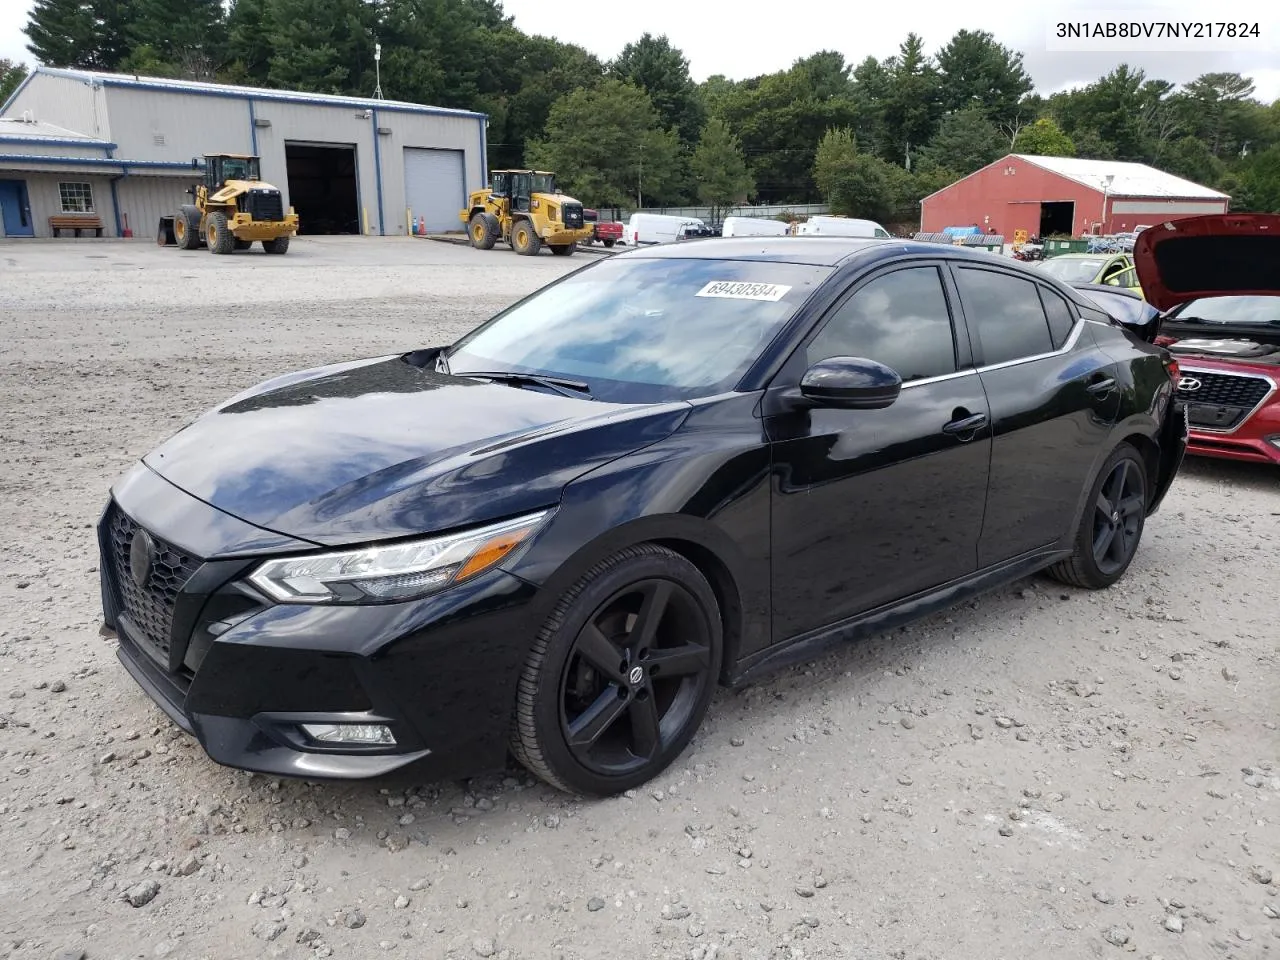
{"type": "Point", "coordinates": [149, 606]}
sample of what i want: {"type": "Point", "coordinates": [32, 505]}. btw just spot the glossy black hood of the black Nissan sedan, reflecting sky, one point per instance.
{"type": "Point", "coordinates": [383, 449]}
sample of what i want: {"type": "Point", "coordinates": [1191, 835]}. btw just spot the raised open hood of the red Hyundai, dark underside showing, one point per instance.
{"type": "Point", "coordinates": [1218, 255]}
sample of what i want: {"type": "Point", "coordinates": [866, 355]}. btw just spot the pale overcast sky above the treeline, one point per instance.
{"type": "Point", "coordinates": [735, 39]}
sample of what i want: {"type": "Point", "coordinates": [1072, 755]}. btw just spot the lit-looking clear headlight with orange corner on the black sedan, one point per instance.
{"type": "Point", "coordinates": [397, 572]}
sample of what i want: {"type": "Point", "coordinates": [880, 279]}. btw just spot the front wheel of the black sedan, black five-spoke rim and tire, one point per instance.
{"type": "Point", "coordinates": [610, 696]}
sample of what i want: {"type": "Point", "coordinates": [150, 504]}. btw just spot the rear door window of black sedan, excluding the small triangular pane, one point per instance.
{"type": "Point", "coordinates": [1005, 313]}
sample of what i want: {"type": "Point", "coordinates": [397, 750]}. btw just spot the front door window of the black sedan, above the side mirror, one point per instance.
{"type": "Point", "coordinates": [899, 319]}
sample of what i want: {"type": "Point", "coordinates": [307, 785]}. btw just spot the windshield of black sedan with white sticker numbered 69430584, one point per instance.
{"type": "Point", "coordinates": [644, 331]}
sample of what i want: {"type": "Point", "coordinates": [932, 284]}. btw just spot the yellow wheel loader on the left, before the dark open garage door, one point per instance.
{"type": "Point", "coordinates": [234, 208]}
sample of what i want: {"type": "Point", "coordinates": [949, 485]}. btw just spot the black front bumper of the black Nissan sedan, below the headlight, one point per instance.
{"type": "Point", "coordinates": [241, 674]}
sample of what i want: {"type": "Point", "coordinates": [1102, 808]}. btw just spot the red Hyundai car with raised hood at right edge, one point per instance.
{"type": "Point", "coordinates": [1217, 282]}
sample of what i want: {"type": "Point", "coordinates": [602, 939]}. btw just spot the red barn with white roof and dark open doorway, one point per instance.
{"type": "Point", "coordinates": [1060, 195]}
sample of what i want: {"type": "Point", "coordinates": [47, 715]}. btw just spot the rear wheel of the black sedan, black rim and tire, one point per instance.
{"type": "Point", "coordinates": [1112, 528]}
